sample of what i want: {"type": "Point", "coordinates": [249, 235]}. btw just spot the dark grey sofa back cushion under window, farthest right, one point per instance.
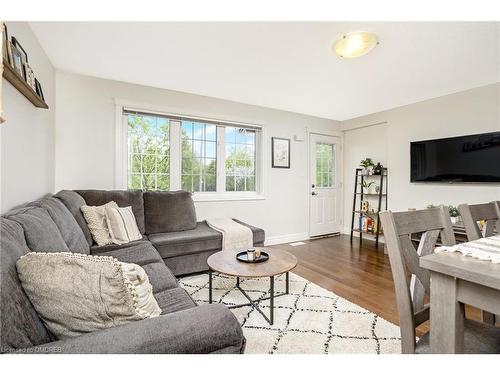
{"type": "Point", "coordinates": [169, 211]}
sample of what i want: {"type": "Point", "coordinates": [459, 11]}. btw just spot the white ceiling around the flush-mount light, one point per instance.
{"type": "Point", "coordinates": [283, 65]}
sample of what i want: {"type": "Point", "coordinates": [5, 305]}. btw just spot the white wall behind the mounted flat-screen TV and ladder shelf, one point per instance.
{"type": "Point", "coordinates": [468, 112]}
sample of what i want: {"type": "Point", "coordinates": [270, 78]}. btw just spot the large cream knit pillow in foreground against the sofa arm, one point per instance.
{"type": "Point", "coordinates": [78, 293]}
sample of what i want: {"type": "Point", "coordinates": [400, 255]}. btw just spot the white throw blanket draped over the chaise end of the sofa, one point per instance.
{"type": "Point", "coordinates": [234, 235]}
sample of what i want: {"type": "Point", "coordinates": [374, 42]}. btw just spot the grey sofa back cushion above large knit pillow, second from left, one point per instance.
{"type": "Point", "coordinates": [40, 231]}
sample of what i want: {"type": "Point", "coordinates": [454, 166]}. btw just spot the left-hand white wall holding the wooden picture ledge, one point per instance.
{"type": "Point", "coordinates": [27, 135]}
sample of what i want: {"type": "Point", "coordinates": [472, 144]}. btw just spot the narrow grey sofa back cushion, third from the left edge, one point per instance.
{"type": "Point", "coordinates": [68, 227]}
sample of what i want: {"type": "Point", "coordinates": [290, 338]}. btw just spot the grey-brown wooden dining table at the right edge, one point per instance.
{"type": "Point", "coordinates": [457, 280]}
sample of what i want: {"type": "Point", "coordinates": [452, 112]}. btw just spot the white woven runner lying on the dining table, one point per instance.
{"type": "Point", "coordinates": [485, 249]}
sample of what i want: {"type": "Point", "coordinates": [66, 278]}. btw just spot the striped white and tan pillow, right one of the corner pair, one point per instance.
{"type": "Point", "coordinates": [122, 225]}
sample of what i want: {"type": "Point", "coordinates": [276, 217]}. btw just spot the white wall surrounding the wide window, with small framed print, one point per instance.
{"type": "Point", "coordinates": [85, 147]}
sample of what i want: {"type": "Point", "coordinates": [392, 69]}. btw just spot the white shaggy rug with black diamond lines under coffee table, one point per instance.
{"type": "Point", "coordinates": [309, 319]}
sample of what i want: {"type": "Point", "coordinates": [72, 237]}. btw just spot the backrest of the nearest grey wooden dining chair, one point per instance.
{"type": "Point", "coordinates": [404, 257]}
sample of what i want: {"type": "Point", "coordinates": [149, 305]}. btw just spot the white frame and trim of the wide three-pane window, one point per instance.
{"type": "Point", "coordinates": [121, 153]}
